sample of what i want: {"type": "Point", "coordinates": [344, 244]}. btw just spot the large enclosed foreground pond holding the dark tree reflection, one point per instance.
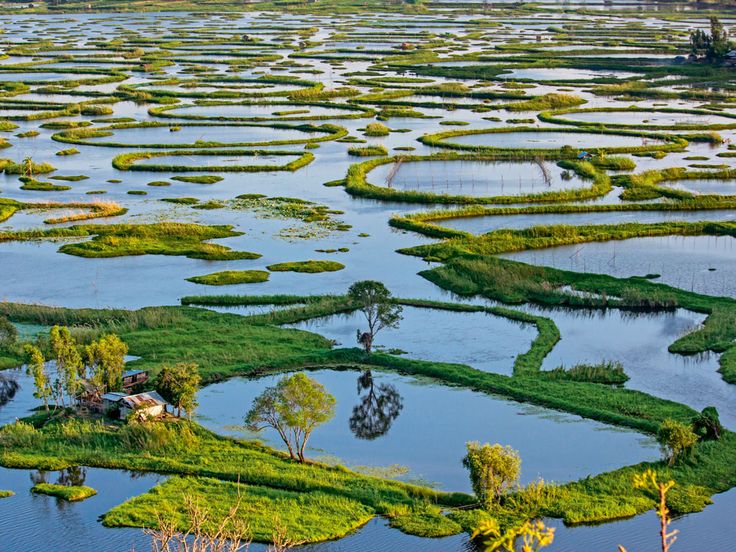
{"type": "Point", "coordinates": [431, 441]}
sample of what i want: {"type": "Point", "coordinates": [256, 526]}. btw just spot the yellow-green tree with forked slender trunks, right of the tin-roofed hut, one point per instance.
{"type": "Point", "coordinates": [294, 407]}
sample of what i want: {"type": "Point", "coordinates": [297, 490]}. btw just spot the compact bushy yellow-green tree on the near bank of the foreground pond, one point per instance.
{"type": "Point", "coordinates": [493, 470]}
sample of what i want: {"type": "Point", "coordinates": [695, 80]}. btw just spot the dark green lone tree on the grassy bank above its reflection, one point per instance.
{"type": "Point", "coordinates": [376, 304]}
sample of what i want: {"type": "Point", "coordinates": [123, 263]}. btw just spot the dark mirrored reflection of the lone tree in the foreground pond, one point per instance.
{"type": "Point", "coordinates": [377, 410]}
